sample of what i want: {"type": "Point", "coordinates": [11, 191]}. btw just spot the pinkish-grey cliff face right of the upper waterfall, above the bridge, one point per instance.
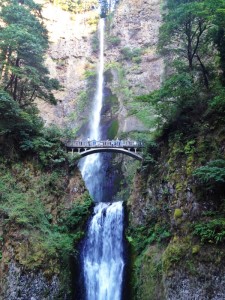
{"type": "Point", "coordinates": [131, 56]}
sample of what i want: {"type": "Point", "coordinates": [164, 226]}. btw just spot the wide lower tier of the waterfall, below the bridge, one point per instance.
{"type": "Point", "coordinates": [103, 253]}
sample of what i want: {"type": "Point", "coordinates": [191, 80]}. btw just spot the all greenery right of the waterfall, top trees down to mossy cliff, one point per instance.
{"type": "Point", "coordinates": [184, 161]}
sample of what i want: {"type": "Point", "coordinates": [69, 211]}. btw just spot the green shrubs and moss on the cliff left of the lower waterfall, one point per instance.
{"type": "Point", "coordinates": [24, 204]}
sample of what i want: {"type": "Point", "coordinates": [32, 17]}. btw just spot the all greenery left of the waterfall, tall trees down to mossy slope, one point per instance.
{"type": "Point", "coordinates": [39, 219]}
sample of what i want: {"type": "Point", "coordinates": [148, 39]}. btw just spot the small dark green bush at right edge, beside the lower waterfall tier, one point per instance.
{"type": "Point", "coordinates": [211, 231]}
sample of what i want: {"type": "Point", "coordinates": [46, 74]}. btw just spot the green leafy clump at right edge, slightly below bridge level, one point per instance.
{"type": "Point", "coordinates": [212, 174]}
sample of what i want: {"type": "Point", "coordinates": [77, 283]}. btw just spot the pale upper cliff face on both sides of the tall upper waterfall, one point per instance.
{"type": "Point", "coordinates": [73, 56]}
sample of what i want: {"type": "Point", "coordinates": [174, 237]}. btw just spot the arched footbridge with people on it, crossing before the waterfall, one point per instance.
{"type": "Point", "coordinates": [84, 148]}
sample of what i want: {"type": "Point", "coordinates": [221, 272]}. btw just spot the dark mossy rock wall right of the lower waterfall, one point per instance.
{"type": "Point", "coordinates": [166, 205]}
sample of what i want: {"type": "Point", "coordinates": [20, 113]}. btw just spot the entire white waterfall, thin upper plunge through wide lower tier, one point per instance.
{"type": "Point", "coordinates": [102, 253]}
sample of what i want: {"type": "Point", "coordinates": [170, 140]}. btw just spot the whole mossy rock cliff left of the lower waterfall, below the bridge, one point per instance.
{"type": "Point", "coordinates": [40, 225]}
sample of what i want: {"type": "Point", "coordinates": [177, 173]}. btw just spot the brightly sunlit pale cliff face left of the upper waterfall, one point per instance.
{"type": "Point", "coordinates": [70, 55]}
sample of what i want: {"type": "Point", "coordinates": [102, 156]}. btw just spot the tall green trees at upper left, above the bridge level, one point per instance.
{"type": "Point", "coordinates": [23, 76]}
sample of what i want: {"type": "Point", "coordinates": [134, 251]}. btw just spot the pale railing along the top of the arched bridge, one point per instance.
{"type": "Point", "coordinates": [107, 143]}
